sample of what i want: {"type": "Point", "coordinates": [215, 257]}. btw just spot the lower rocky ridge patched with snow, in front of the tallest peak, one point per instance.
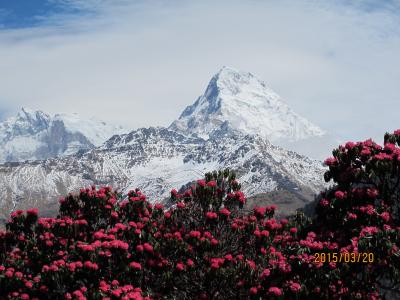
{"type": "Point", "coordinates": [156, 160]}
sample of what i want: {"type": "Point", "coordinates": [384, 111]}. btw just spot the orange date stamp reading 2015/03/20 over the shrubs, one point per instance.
{"type": "Point", "coordinates": [344, 257]}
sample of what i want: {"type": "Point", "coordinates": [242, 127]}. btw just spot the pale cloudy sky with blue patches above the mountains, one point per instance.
{"type": "Point", "coordinates": [334, 62]}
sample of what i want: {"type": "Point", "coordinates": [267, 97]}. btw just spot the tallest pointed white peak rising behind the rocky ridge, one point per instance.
{"type": "Point", "coordinates": [247, 104]}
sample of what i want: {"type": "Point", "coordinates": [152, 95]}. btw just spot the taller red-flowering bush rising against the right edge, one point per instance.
{"type": "Point", "coordinates": [362, 212]}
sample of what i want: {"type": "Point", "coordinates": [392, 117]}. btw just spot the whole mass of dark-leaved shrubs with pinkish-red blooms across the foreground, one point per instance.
{"type": "Point", "coordinates": [106, 246]}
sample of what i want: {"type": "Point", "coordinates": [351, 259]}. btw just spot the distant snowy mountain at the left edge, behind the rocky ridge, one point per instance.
{"type": "Point", "coordinates": [33, 135]}
